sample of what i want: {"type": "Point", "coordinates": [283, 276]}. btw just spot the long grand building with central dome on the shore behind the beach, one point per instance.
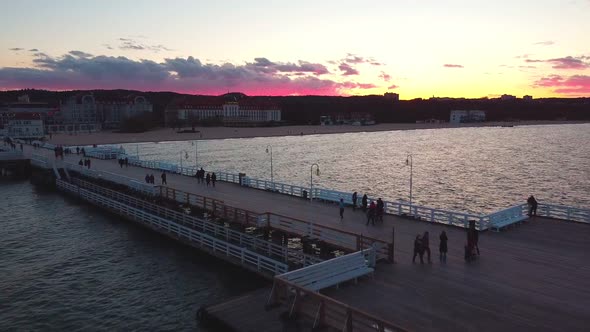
{"type": "Point", "coordinates": [229, 111]}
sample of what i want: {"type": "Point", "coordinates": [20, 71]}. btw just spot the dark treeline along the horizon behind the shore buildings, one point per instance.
{"type": "Point", "coordinates": [308, 109]}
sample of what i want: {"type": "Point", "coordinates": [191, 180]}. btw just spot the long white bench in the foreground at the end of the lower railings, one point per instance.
{"type": "Point", "coordinates": [331, 272]}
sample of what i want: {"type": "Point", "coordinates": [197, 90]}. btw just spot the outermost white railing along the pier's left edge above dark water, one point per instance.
{"type": "Point", "coordinates": [245, 256]}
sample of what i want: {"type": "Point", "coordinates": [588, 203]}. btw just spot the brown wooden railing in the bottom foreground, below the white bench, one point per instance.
{"type": "Point", "coordinates": [326, 311]}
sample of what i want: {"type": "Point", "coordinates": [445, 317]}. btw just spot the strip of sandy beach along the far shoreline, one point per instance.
{"type": "Point", "coordinates": [169, 134]}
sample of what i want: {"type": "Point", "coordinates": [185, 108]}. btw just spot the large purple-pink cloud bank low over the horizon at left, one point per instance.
{"type": "Point", "coordinates": [80, 70]}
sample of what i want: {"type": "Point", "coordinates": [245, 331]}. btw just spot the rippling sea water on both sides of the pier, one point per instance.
{"type": "Point", "coordinates": [65, 265]}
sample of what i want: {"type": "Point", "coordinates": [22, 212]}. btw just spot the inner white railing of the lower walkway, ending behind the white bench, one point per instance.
{"type": "Point", "coordinates": [255, 243]}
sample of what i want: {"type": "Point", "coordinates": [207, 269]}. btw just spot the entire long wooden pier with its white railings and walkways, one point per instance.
{"type": "Point", "coordinates": [531, 276]}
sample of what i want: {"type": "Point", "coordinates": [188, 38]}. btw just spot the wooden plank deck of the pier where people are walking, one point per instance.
{"type": "Point", "coordinates": [534, 277]}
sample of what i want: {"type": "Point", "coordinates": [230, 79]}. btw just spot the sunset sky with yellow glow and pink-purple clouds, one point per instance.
{"type": "Point", "coordinates": [457, 48]}
